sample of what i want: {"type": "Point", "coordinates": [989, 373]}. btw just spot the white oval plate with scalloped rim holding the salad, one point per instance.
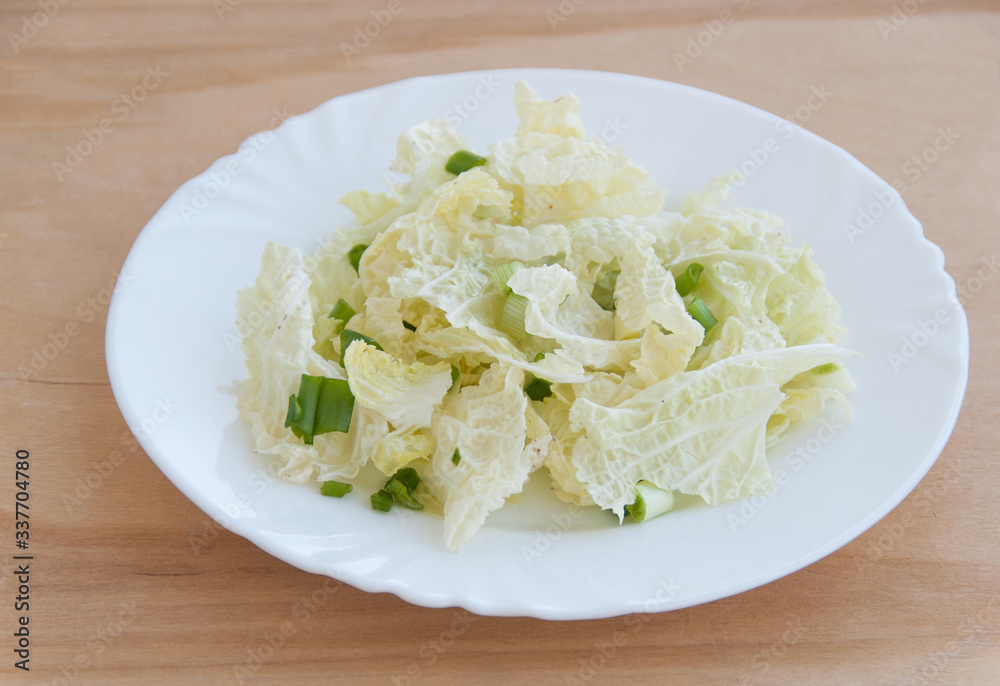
{"type": "Point", "coordinates": [174, 362]}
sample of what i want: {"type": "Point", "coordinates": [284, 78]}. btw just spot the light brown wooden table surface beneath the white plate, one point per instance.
{"type": "Point", "coordinates": [118, 592]}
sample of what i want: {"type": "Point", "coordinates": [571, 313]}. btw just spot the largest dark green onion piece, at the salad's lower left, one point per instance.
{"type": "Point", "coordinates": [322, 405]}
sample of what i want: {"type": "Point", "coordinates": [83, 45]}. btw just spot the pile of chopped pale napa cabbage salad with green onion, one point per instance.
{"type": "Point", "coordinates": [532, 306]}
